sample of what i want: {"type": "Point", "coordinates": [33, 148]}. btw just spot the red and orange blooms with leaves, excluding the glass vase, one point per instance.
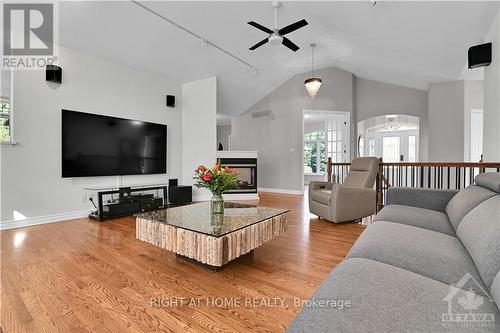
{"type": "Point", "coordinates": [217, 179]}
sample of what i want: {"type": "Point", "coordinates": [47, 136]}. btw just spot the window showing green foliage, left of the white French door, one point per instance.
{"type": "Point", "coordinates": [315, 153]}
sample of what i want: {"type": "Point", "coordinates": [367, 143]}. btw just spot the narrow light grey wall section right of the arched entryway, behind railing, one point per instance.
{"type": "Point", "coordinates": [446, 121]}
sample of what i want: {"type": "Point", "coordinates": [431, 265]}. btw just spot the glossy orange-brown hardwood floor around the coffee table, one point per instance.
{"type": "Point", "coordinates": [86, 276]}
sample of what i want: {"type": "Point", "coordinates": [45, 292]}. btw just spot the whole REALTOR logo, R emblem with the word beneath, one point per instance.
{"type": "Point", "coordinates": [29, 35]}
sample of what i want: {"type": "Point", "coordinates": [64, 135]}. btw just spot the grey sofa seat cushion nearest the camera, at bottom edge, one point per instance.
{"type": "Point", "coordinates": [384, 299]}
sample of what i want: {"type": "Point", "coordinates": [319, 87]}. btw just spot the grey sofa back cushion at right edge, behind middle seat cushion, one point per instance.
{"type": "Point", "coordinates": [480, 234]}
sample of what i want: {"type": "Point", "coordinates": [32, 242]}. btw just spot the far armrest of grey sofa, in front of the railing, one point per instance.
{"type": "Point", "coordinates": [420, 197]}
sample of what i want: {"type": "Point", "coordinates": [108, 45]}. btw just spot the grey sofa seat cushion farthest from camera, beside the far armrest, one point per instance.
{"type": "Point", "coordinates": [417, 217]}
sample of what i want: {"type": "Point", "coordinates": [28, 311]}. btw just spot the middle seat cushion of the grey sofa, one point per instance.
{"type": "Point", "coordinates": [432, 254]}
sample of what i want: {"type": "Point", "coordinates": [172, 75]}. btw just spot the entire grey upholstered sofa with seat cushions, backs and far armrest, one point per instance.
{"type": "Point", "coordinates": [429, 263]}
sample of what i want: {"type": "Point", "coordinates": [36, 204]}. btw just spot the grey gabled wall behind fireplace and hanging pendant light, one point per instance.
{"type": "Point", "coordinates": [279, 140]}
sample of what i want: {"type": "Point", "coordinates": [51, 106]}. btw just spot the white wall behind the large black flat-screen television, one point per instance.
{"type": "Point", "coordinates": [31, 170]}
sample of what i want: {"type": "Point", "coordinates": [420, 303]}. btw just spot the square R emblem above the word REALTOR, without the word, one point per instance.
{"type": "Point", "coordinates": [28, 29]}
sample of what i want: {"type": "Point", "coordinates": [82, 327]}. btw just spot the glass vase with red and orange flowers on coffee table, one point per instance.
{"type": "Point", "coordinates": [217, 180]}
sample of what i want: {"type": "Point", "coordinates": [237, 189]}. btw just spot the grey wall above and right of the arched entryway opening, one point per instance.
{"type": "Point", "coordinates": [377, 98]}
